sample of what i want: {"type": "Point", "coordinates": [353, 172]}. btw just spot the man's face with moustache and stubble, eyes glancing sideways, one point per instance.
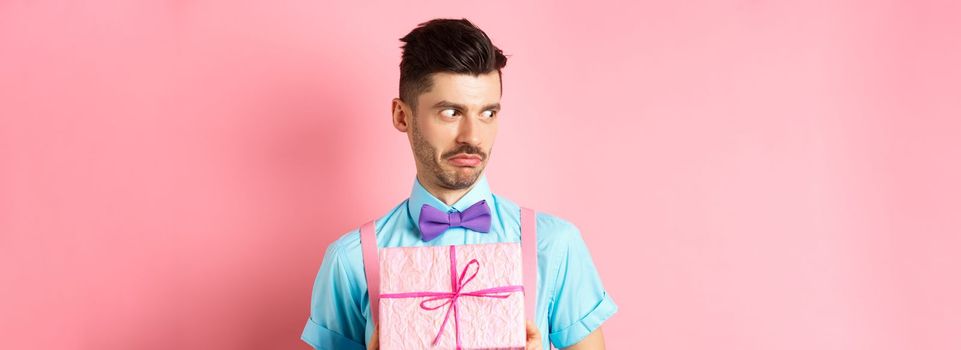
{"type": "Point", "coordinates": [453, 128]}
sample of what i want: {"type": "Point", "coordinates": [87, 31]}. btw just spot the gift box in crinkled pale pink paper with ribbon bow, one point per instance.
{"type": "Point", "coordinates": [452, 297]}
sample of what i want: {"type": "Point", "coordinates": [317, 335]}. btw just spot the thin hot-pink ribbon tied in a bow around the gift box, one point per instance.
{"type": "Point", "coordinates": [450, 298]}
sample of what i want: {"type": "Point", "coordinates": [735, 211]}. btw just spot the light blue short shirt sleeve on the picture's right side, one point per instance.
{"type": "Point", "coordinates": [580, 302]}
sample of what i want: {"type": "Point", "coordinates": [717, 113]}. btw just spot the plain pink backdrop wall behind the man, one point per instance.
{"type": "Point", "coordinates": [172, 171]}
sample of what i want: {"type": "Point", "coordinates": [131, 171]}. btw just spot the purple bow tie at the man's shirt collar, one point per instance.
{"type": "Point", "coordinates": [433, 222]}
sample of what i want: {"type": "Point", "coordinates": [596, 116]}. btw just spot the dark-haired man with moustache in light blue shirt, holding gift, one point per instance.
{"type": "Point", "coordinates": [450, 91]}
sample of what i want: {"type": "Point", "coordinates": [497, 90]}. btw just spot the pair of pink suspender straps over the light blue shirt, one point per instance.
{"type": "Point", "coordinates": [368, 244]}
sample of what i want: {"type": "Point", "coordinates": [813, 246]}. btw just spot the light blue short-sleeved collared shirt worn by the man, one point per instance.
{"type": "Point", "coordinates": [571, 301]}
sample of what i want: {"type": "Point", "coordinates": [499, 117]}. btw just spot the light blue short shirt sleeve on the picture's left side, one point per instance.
{"type": "Point", "coordinates": [336, 319]}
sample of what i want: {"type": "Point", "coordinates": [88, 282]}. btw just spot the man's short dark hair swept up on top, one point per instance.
{"type": "Point", "coordinates": [445, 45]}
